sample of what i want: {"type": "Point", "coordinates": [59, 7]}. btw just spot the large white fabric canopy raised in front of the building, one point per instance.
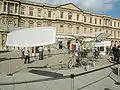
{"type": "Point", "coordinates": [31, 37]}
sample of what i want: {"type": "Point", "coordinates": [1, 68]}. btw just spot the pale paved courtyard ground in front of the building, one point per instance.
{"type": "Point", "coordinates": [52, 74]}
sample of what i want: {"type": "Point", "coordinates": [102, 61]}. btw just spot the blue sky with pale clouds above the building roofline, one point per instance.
{"type": "Point", "coordinates": [105, 7]}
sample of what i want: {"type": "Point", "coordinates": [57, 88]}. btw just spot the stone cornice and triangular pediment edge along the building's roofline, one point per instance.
{"type": "Point", "coordinates": [59, 6]}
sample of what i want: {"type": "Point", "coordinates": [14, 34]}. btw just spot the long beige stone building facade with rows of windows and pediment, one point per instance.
{"type": "Point", "coordinates": [67, 18]}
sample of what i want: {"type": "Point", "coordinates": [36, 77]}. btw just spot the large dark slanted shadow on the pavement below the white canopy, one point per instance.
{"type": "Point", "coordinates": [46, 73]}
